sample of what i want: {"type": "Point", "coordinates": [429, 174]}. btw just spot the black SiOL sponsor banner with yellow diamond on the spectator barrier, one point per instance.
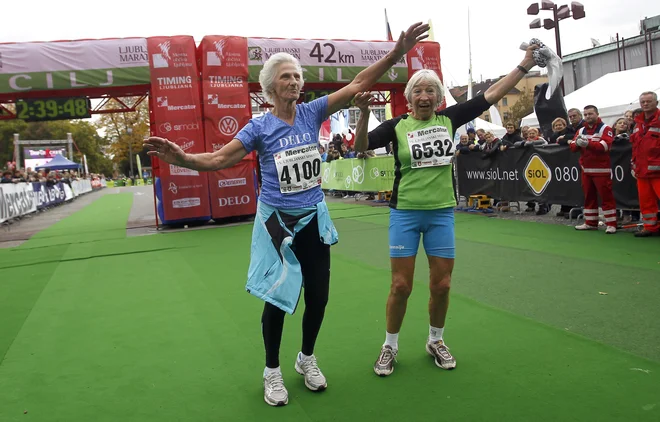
{"type": "Point", "coordinates": [548, 174]}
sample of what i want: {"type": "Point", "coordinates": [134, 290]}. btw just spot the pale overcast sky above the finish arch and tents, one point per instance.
{"type": "Point", "coordinates": [497, 27]}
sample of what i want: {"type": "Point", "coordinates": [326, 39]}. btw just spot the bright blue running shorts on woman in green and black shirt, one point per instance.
{"type": "Point", "coordinates": [437, 227]}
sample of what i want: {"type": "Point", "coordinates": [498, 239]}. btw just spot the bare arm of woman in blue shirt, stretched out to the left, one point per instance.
{"type": "Point", "coordinates": [168, 151]}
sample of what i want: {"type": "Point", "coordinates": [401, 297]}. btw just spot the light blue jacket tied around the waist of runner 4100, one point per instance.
{"type": "Point", "coordinates": [275, 275]}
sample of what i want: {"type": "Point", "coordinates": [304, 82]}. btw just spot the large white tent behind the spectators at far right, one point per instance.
{"type": "Point", "coordinates": [613, 93]}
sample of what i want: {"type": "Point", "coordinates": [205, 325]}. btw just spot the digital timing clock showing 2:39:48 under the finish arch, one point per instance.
{"type": "Point", "coordinates": [37, 110]}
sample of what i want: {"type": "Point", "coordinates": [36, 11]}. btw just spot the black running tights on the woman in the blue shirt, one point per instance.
{"type": "Point", "coordinates": [314, 257]}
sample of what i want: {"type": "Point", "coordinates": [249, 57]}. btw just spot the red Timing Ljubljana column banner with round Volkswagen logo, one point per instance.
{"type": "Point", "coordinates": [226, 102]}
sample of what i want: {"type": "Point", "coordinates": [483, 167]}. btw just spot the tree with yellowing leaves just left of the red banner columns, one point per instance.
{"type": "Point", "coordinates": [125, 132]}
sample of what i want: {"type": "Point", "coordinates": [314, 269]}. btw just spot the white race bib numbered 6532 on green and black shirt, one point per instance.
{"type": "Point", "coordinates": [430, 147]}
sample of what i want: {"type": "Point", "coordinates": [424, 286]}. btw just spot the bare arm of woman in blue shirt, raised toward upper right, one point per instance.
{"type": "Point", "coordinates": [369, 76]}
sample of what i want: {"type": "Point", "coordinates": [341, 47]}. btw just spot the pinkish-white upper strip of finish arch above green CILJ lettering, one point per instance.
{"type": "Point", "coordinates": [73, 55]}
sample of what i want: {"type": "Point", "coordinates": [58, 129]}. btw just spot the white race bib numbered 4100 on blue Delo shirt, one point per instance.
{"type": "Point", "coordinates": [298, 169]}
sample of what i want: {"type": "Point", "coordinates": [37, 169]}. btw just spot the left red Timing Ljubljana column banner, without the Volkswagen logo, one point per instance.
{"type": "Point", "coordinates": [182, 194]}
